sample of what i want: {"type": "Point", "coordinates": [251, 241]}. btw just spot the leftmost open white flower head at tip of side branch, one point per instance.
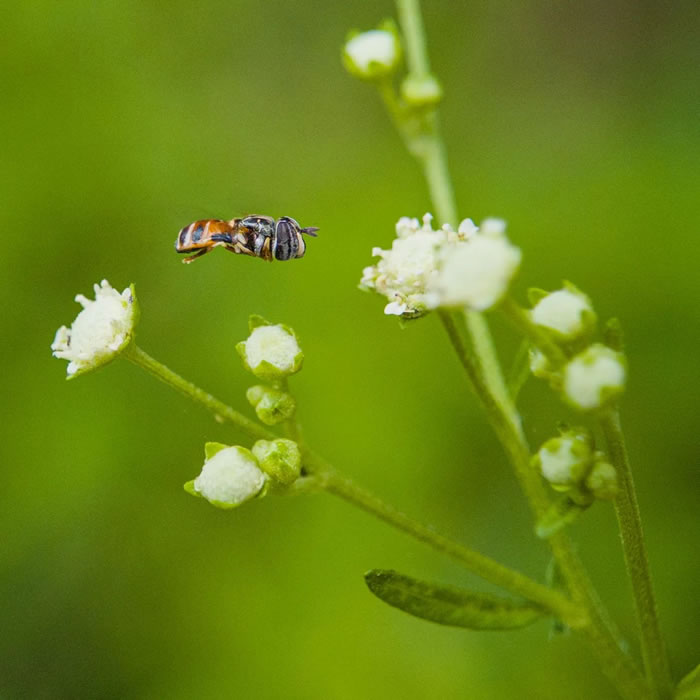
{"type": "Point", "coordinates": [100, 331]}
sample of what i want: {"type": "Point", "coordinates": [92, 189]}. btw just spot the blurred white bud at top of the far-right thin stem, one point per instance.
{"type": "Point", "coordinates": [594, 377]}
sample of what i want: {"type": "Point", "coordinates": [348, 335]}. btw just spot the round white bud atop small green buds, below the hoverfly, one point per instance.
{"type": "Point", "coordinates": [271, 352]}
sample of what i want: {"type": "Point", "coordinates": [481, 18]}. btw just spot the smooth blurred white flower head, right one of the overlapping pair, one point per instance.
{"type": "Point", "coordinates": [477, 272]}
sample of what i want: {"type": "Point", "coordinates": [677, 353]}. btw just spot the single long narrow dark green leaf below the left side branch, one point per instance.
{"type": "Point", "coordinates": [448, 605]}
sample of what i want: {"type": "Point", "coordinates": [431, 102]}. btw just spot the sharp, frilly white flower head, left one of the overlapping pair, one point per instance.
{"type": "Point", "coordinates": [403, 272]}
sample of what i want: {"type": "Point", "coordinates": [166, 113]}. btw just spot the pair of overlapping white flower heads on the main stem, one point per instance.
{"type": "Point", "coordinates": [426, 268]}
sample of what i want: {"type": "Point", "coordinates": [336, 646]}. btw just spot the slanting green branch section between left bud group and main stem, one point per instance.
{"type": "Point", "coordinates": [477, 563]}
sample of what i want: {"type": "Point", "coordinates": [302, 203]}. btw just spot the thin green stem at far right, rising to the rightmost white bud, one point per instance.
{"type": "Point", "coordinates": [636, 560]}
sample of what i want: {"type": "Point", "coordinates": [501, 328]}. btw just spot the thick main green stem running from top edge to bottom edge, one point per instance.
{"type": "Point", "coordinates": [476, 352]}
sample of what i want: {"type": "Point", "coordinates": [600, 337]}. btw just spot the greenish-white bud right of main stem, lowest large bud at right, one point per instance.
{"type": "Point", "coordinates": [565, 461]}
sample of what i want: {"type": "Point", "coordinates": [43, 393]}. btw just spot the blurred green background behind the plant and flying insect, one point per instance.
{"type": "Point", "coordinates": [122, 121]}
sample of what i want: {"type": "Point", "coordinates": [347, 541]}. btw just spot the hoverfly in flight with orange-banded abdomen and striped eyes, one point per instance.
{"type": "Point", "coordinates": [259, 236]}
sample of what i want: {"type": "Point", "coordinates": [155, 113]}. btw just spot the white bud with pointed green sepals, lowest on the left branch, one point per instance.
{"type": "Point", "coordinates": [230, 476]}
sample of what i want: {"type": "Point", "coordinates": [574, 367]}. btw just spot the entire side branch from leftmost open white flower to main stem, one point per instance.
{"type": "Point", "coordinates": [323, 476]}
